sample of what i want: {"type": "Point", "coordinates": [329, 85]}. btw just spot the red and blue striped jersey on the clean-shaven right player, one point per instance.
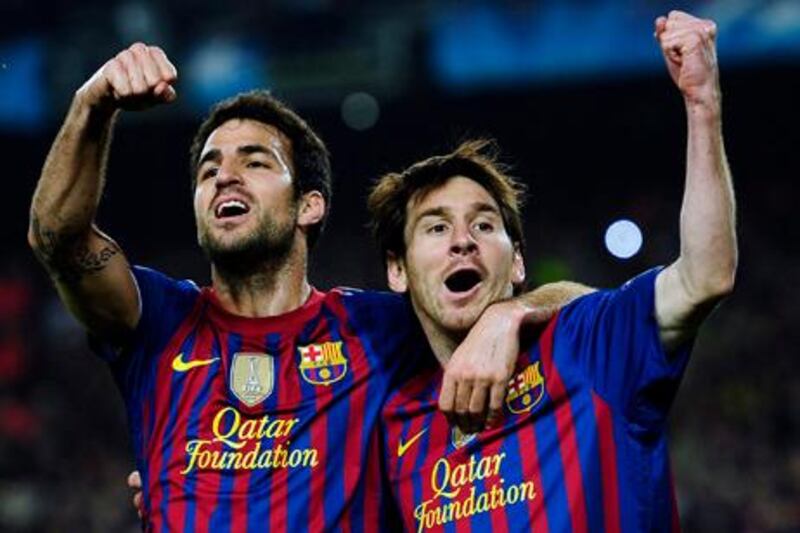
{"type": "Point", "coordinates": [582, 445]}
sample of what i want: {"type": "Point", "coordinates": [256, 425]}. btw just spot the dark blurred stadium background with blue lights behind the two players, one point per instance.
{"type": "Point", "coordinates": [576, 95]}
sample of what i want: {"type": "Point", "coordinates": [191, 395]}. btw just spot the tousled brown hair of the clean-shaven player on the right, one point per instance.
{"type": "Point", "coordinates": [476, 160]}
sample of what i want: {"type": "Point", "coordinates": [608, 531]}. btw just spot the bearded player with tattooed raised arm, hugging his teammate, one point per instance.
{"type": "Point", "coordinates": [252, 404]}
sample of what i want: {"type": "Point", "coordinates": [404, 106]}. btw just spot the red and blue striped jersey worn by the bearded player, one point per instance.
{"type": "Point", "coordinates": [259, 424]}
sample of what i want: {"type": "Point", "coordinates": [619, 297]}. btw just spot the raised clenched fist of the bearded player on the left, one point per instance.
{"type": "Point", "coordinates": [139, 77]}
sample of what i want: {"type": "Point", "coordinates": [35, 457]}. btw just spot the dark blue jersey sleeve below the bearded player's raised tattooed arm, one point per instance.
{"type": "Point", "coordinates": [164, 303]}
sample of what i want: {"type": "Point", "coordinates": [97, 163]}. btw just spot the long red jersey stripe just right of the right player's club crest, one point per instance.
{"type": "Point", "coordinates": [567, 437]}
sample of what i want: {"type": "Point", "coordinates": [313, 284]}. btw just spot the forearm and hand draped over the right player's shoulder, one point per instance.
{"type": "Point", "coordinates": [481, 366]}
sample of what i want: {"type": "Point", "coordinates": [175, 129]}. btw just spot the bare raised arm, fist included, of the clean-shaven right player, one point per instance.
{"type": "Point", "coordinates": [703, 274]}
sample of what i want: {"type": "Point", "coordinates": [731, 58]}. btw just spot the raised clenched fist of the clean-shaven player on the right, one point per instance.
{"type": "Point", "coordinates": [689, 47]}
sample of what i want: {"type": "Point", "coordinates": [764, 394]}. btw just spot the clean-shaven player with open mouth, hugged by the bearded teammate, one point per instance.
{"type": "Point", "coordinates": [582, 446]}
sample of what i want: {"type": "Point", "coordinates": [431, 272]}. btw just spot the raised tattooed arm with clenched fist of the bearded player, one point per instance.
{"type": "Point", "coordinates": [88, 268]}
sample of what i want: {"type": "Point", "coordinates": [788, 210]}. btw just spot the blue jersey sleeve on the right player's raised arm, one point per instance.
{"type": "Point", "coordinates": [614, 338]}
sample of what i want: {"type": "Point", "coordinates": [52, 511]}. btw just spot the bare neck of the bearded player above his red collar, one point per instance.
{"type": "Point", "coordinates": [271, 287]}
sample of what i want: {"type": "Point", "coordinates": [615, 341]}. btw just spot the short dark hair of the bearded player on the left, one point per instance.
{"type": "Point", "coordinates": [310, 158]}
